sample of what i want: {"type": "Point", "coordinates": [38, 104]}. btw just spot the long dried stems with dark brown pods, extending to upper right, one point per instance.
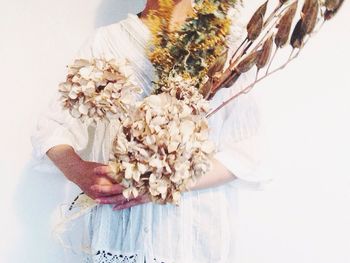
{"type": "Point", "coordinates": [266, 35]}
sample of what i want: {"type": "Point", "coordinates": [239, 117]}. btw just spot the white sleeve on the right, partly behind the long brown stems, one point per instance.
{"type": "Point", "coordinates": [239, 146]}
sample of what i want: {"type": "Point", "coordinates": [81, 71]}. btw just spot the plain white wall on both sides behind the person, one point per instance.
{"type": "Point", "coordinates": [302, 216]}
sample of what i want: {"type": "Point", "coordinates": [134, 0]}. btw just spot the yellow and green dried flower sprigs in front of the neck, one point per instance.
{"type": "Point", "coordinates": [190, 50]}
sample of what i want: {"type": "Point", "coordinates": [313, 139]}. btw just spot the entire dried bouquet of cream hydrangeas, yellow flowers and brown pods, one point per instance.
{"type": "Point", "coordinates": [163, 140]}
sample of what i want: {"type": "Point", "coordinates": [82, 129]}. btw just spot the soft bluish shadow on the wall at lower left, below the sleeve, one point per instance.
{"type": "Point", "coordinates": [36, 199]}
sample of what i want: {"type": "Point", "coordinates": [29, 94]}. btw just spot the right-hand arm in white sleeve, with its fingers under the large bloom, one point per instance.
{"type": "Point", "coordinates": [238, 154]}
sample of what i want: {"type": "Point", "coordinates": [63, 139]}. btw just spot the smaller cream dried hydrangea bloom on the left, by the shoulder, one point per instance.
{"type": "Point", "coordinates": [98, 89]}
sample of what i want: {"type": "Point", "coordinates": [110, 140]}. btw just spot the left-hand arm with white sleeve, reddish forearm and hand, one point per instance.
{"type": "Point", "coordinates": [61, 138]}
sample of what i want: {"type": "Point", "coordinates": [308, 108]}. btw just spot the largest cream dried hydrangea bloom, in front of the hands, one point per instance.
{"type": "Point", "coordinates": [163, 145]}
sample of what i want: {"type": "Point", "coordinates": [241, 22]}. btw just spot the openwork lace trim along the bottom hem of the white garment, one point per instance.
{"type": "Point", "coordinates": [106, 257]}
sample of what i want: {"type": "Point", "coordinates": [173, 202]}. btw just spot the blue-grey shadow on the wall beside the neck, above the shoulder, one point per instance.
{"type": "Point", "coordinates": [112, 11]}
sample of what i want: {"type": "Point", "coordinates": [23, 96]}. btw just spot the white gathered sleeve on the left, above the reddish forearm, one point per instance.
{"type": "Point", "coordinates": [55, 125]}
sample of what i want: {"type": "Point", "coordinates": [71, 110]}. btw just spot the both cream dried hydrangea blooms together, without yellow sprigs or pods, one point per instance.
{"type": "Point", "coordinates": [162, 143]}
